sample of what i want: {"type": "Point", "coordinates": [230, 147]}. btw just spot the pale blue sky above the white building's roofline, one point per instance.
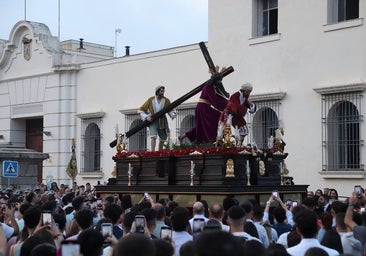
{"type": "Point", "coordinates": [146, 25]}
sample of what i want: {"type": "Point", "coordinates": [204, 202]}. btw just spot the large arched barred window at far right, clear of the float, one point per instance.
{"type": "Point", "coordinates": [341, 128]}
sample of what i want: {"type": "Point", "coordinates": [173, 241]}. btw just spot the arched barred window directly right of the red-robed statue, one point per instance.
{"type": "Point", "coordinates": [266, 119]}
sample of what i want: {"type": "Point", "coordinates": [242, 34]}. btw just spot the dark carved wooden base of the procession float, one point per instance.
{"type": "Point", "coordinates": [170, 177]}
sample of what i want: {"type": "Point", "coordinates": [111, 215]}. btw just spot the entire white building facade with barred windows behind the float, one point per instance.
{"type": "Point", "coordinates": [305, 59]}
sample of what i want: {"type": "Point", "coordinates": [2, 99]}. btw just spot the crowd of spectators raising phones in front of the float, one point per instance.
{"type": "Point", "coordinates": [63, 220]}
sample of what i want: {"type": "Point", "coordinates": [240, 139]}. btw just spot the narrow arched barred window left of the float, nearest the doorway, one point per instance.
{"type": "Point", "coordinates": [91, 149]}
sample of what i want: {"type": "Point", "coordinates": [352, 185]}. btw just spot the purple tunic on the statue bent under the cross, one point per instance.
{"type": "Point", "coordinates": [207, 117]}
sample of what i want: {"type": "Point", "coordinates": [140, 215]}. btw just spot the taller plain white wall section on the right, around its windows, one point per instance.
{"type": "Point", "coordinates": [307, 53]}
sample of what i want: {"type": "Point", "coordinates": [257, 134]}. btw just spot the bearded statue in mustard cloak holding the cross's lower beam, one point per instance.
{"type": "Point", "coordinates": [158, 127]}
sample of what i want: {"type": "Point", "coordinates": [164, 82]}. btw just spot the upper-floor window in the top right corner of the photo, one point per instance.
{"type": "Point", "coordinates": [342, 10]}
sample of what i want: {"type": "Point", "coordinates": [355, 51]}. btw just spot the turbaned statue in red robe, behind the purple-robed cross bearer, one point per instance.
{"type": "Point", "coordinates": [234, 113]}
